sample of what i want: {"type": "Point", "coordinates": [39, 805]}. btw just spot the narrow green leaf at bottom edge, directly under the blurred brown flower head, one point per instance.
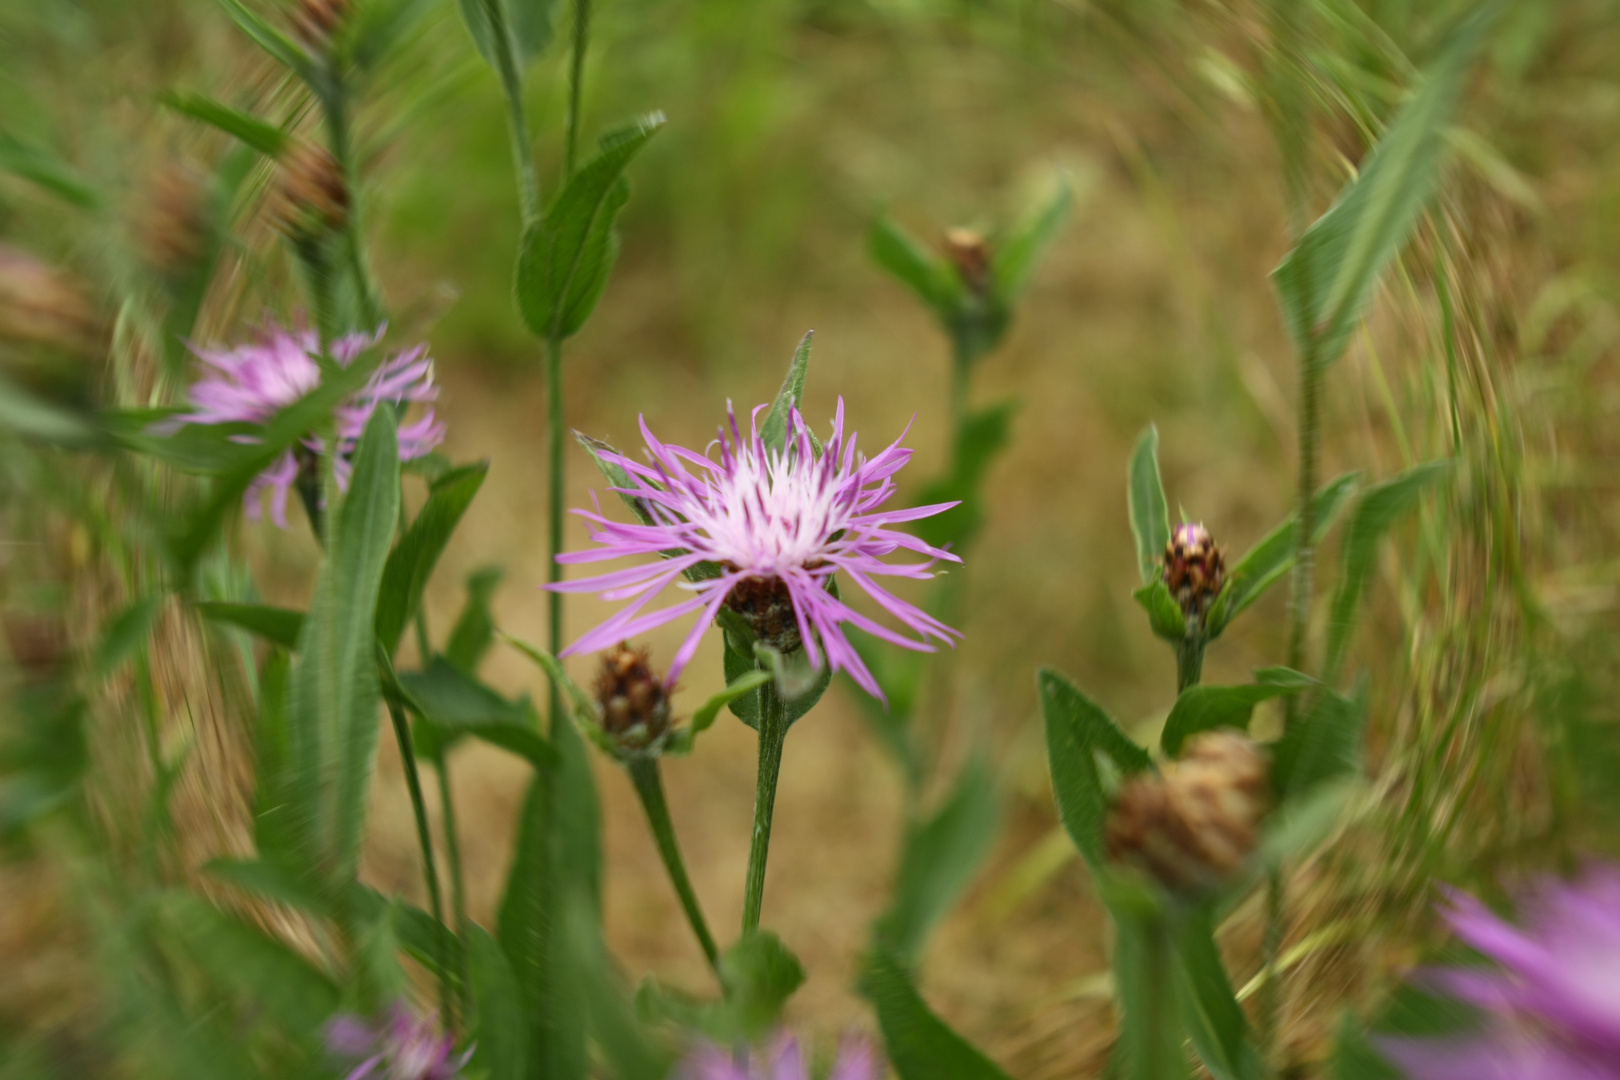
{"type": "Point", "coordinates": [1209, 1010]}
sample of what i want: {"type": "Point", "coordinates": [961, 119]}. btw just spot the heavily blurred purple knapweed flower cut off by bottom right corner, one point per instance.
{"type": "Point", "coordinates": [1553, 1003]}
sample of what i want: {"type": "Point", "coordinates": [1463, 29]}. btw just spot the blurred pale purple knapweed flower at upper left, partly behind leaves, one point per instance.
{"type": "Point", "coordinates": [252, 383]}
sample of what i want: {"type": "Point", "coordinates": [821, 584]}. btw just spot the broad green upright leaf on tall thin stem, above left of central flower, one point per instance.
{"type": "Point", "coordinates": [571, 250]}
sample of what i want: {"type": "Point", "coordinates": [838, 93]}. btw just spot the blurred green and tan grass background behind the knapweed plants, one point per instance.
{"type": "Point", "coordinates": [791, 122]}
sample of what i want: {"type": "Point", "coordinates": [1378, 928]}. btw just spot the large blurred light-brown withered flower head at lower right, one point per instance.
{"type": "Point", "coordinates": [1196, 823]}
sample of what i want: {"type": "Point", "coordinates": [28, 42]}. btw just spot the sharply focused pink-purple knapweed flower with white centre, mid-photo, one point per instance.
{"type": "Point", "coordinates": [777, 525]}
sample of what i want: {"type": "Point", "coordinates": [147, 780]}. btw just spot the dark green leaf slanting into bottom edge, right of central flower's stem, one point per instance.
{"type": "Point", "coordinates": [919, 1044]}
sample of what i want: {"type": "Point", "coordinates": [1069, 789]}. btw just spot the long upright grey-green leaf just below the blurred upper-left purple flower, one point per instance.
{"type": "Point", "coordinates": [336, 695]}
